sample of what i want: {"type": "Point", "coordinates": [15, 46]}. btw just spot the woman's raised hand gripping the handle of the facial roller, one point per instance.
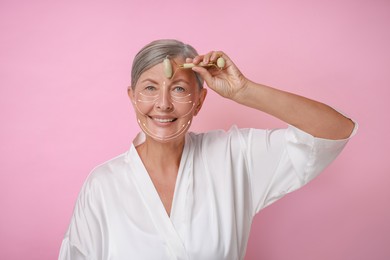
{"type": "Point", "coordinates": [227, 81]}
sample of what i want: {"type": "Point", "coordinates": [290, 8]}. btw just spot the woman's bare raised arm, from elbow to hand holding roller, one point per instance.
{"type": "Point", "coordinates": [315, 118]}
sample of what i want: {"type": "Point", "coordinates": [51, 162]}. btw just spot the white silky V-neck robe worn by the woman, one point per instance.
{"type": "Point", "coordinates": [224, 179]}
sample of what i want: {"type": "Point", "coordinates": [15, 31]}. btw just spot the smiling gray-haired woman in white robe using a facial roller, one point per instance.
{"type": "Point", "coordinates": [180, 195]}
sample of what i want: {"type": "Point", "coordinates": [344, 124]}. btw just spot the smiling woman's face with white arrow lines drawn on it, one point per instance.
{"type": "Point", "coordinates": [165, 107]}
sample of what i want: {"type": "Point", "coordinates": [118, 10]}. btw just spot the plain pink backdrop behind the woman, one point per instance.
{"type": "Point", "coordinates": [64, 68]}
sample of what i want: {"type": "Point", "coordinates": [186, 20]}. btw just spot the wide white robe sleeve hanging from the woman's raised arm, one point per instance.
{"type": "Point", "coordinates": [281, 161]}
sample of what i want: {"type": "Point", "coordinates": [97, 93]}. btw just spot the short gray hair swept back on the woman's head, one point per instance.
{"type": "Point", "coordinates": [155, 52]}
